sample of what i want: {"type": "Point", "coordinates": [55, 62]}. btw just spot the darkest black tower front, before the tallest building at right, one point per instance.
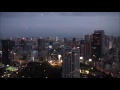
{"type": "Point", "coordinates": [96, 47]}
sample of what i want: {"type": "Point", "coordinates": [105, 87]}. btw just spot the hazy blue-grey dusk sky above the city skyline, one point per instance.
{"type": "Point", "coordinates": [61, 24]}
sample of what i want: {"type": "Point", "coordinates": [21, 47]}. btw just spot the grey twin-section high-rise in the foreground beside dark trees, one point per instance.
{"type": "Point", "coordinates": [71, 64]}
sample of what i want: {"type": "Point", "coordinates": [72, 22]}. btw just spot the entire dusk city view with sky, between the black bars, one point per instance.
{"type": "Point", "coordinates": [59, 45]}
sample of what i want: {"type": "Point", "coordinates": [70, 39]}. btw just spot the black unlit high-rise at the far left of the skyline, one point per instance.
{"type": "Point", "coordinates": [7, 46]}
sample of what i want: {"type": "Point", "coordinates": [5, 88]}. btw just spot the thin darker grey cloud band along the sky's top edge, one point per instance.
{"type": "Point", "coordinates": [24, 14]}
